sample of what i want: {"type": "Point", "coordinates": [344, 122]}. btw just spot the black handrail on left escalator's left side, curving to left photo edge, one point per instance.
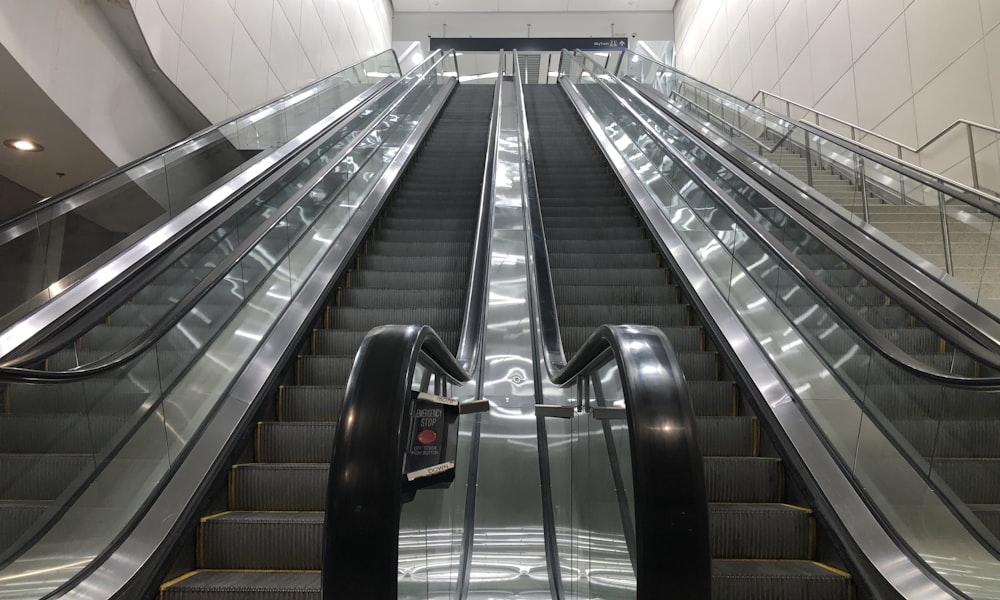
{"type": "Point", "coordinates": [15, 371]}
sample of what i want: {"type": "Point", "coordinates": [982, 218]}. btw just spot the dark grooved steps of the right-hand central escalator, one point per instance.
{"type": "Point", "coordinates": [605, 270]}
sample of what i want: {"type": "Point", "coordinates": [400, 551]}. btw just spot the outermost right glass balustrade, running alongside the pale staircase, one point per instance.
{"type": "Point", "coordinates": [869, 191]}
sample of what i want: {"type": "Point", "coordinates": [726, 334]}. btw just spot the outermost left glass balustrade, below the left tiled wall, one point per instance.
{"type": "Point", "coordinates": [55, 247]}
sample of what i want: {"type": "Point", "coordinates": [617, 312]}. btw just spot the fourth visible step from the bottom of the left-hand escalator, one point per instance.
{"type": "Point", "coordinates": [293, 442]}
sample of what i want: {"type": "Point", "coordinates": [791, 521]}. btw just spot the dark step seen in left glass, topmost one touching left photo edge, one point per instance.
{"type": "Point", "coordinates": [60, 433]}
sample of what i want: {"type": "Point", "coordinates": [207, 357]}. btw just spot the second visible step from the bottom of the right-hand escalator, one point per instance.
{"type": "Point", "coordinates": [760, 531]}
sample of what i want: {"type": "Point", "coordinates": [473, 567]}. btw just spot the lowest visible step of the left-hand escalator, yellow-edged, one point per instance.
{"type": "Point", "coordinates": [244, 585]}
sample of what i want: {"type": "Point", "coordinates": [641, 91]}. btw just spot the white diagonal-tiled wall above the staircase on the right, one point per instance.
{"type": "Point", "coordinates": [904, 68]}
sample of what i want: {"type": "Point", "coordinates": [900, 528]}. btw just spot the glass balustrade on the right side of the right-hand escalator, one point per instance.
{"type": "Point", "coordinates": [914, 444]}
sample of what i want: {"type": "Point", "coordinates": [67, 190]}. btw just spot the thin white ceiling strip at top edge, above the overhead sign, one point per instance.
{"type": "Point", "coordinates": [532, 5]}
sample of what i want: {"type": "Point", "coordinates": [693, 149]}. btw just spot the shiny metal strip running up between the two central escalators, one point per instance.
{"type": "Point", "coordinates": [508, 551]}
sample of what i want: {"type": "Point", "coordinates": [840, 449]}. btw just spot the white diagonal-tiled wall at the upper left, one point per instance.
{"type": "Point", "coordinates": [228, 56]}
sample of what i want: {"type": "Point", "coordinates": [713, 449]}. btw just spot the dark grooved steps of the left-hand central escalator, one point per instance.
{"type": "Point", "coordinates": [413, 268]}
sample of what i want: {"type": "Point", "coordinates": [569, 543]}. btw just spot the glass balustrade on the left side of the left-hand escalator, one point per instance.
{"type": "Point", "coordinates": [114, 436]}
